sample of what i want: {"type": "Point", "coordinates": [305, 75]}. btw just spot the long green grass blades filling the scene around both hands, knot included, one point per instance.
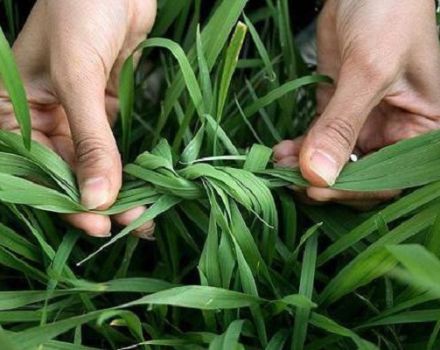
{"type": "Point", "coordinates": [237, 262]}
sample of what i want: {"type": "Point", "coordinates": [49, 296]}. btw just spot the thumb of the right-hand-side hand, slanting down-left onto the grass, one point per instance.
{"type": "Point", "coordinates": [330, 141]}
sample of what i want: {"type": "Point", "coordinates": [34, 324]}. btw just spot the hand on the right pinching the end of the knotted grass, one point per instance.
{"type": "Point", "coordinates": [384, 58]}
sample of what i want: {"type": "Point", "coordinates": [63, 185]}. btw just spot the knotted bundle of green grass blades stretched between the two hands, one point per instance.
{"type": "Point", "coordinates": [41, 179]}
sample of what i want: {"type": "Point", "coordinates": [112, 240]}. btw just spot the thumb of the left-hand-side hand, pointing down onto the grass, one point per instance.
{"type": "Point", "coordinates": [97, 159]}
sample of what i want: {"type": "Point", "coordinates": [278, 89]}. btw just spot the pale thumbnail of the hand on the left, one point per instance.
{"type": "Point", "coordinates": [95, 192]}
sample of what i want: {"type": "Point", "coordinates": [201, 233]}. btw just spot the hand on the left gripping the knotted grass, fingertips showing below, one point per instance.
{"type": "Point", "coordinates": [70, 54]}
